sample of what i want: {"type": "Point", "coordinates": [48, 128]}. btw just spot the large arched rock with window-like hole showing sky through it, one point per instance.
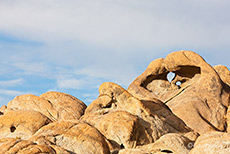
{"type": "Point", "coordinates": [196, 94]}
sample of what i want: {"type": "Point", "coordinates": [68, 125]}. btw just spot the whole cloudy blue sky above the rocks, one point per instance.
{"type": "Point", "coordinates": [73, 46]}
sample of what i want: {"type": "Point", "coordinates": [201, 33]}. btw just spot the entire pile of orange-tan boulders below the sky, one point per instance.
{"type": "Point", "coordinates": [178, 105]}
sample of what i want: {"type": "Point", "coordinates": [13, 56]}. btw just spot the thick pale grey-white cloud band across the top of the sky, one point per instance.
{"type": "Point", "coordinates": [117, 24]}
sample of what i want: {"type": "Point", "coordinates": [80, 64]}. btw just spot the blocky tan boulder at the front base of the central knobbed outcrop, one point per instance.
{"type": "Point", "coordinates": [121, 128]}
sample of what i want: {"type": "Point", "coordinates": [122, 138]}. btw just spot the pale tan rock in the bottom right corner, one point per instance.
{"type": "Point", "coordinates": [212, 143]}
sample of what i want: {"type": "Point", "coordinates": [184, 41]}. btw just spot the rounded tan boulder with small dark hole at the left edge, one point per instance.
{"type": "Point", "coordinates": [21, 124]}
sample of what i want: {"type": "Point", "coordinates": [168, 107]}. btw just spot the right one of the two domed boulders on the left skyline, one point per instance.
{"type": "Point", "coordinates": [67, 106]}
